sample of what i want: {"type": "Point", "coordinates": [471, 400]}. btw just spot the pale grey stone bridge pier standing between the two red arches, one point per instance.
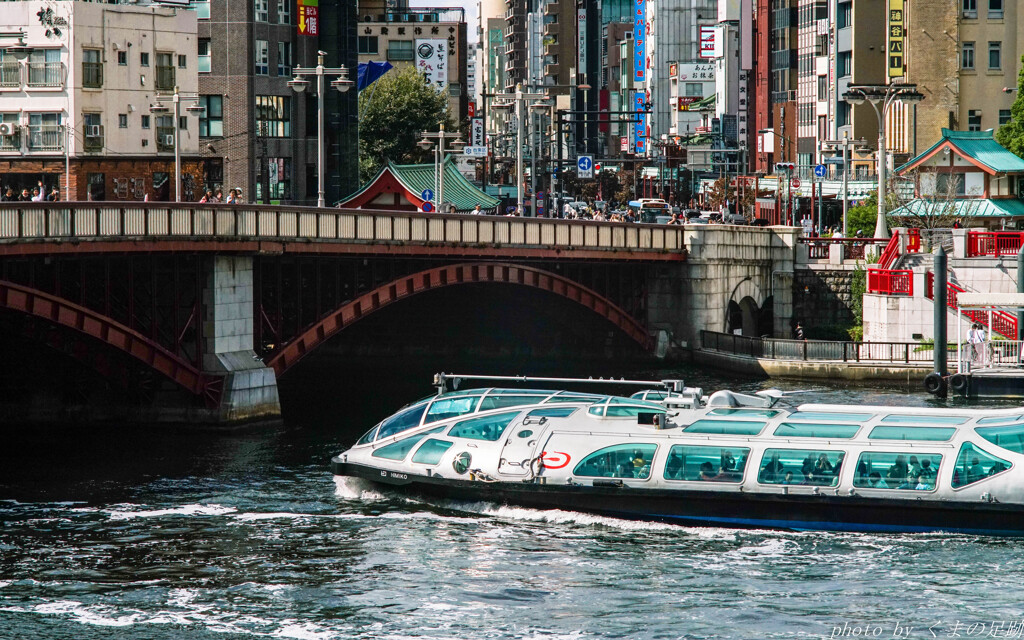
{"type": "Point", "coordinates": [250, 391]}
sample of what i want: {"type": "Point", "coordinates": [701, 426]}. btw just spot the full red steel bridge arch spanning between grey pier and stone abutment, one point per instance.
{"type": "Point", "coordinates": [447, 277]}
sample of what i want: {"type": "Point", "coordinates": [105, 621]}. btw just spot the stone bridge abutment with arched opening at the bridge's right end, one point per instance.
{"type": "Point", "coordinates": [736, 279]}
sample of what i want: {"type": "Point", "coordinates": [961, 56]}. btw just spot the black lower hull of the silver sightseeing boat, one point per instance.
{"type": "Point", "coordinates": [730, 509]}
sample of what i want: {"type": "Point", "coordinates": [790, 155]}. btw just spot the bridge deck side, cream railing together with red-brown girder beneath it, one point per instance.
{"type": "Point", "coordinates": [91, 228]}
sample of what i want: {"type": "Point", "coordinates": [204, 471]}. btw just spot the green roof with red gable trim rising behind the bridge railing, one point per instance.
{"type": "Point", "coordinates": [411, 181]}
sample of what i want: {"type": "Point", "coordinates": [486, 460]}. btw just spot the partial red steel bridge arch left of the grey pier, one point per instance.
{"type": "Point", "coordinates": [110, 332]}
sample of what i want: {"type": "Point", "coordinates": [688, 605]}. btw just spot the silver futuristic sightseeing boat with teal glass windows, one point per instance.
{"type": "Point", "coordinates": [671, 454]}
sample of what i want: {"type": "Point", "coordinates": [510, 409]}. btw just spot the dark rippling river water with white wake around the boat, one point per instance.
{"type": "Point", "coordinates": [150, 534]}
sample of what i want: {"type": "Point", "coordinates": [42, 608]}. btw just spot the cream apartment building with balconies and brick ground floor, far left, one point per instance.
{"type": "Point", "coordinates": [76, 93]}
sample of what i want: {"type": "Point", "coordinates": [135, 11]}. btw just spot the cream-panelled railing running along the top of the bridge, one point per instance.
{"type": "Point", "coordinates": [115, 221]}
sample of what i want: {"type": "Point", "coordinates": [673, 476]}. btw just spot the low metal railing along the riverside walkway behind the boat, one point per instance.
{"type": "Point", "coordinates": [846, 352]}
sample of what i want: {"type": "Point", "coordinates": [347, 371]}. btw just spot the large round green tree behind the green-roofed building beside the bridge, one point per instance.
{"type": "Point", "coordinates": [394, 112]}
